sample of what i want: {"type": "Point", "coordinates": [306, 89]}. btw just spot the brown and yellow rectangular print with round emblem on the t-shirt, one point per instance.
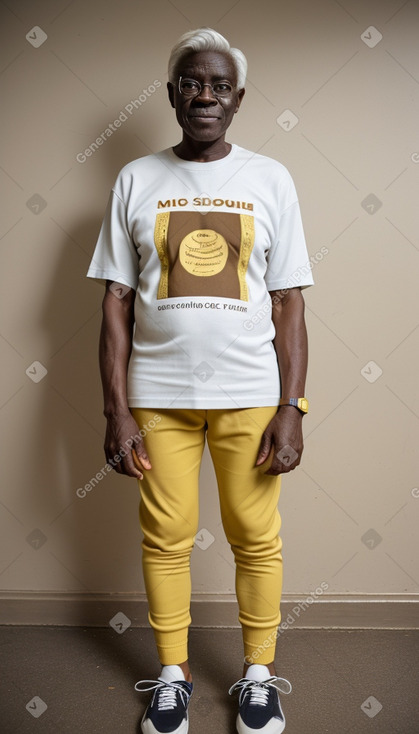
{"type": "Point", "coordinates": [203, 254]}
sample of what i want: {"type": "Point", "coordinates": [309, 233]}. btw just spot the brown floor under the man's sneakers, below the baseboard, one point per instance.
{"type": "Point", "coordinates": [86, 676]}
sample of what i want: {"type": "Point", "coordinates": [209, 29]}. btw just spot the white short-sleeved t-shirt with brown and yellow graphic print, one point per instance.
{"type": "Point", "coordinates": [202, 244]}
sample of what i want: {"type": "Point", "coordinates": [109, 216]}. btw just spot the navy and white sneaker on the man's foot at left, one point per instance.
{"type": "Point", "coordinates": [167, 712]}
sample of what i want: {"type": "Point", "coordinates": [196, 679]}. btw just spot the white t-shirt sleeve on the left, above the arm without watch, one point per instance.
{"type": "Point", "coordinates": [115, 256]}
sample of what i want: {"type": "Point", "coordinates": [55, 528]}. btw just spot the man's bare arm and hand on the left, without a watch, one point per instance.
{"type": "Point", "coordinates": [114, 353]}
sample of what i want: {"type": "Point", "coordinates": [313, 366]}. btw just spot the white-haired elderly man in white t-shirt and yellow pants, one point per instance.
{"type": "Point", "coordinates": [203, 338]}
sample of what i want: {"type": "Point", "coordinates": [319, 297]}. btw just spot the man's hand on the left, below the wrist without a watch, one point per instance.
{"type": "Point", "coordinates": [124, 447]}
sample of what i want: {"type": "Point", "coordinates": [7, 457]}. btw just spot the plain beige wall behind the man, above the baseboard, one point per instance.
{"type": "Point", "coordinates": [357, 110]}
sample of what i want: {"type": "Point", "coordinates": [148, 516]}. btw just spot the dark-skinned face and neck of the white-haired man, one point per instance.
{"type": "Point", "coordinates": [205, 119]}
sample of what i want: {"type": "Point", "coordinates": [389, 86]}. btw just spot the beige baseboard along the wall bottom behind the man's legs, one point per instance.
{"type": "Point", "coordinates": [330, 611]}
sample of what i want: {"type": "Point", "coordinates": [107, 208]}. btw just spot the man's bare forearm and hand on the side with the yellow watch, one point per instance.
{"type": "Point", "coordinates": [284, 433]}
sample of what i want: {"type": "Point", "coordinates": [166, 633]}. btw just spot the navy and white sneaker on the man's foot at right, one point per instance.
{"type": "Point", "coordinates": [259, 705]}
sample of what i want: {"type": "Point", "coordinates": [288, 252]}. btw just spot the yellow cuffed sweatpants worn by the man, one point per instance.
{"type": "Point", "coordinates": [169, 521]}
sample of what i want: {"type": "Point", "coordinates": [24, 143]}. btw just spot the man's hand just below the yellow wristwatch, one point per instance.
{"type": "Point", "coordinates": [284, 437]}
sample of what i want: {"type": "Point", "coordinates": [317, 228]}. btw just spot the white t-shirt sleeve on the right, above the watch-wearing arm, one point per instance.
{"type": "Point", "coordinates": [289, 265]}
